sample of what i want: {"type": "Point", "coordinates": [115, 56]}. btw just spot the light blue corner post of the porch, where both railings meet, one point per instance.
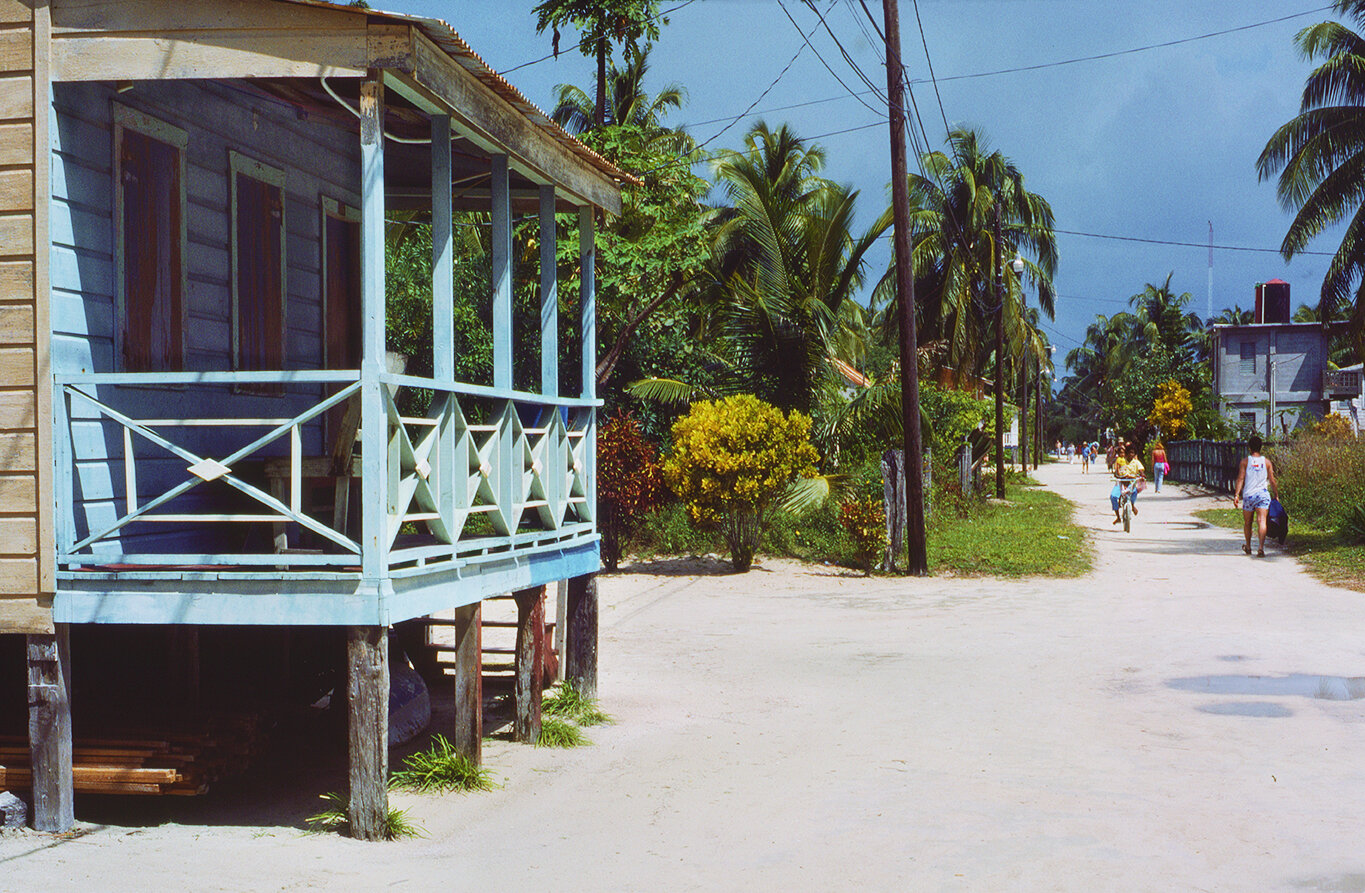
{"type": "Point", "coordinates": [373, 419]}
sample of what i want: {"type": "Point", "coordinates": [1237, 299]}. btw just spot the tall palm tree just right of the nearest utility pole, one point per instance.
{"type": "Point", "coordinates": [953, 210]}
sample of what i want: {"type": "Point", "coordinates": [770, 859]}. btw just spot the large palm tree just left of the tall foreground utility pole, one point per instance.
{"type": "Point", "coordinates": [784, 267]}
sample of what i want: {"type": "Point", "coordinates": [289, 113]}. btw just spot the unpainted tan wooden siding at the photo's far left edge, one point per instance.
{"type": "Point", "coordinates": [24, 511]}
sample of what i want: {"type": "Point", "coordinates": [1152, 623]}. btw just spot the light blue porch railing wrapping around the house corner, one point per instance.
{"type": "Point", "coordinates": [200, 470]}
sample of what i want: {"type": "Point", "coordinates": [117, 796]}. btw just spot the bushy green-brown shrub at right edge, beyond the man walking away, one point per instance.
{"type": "Point", "coordinates": [1322, 480]}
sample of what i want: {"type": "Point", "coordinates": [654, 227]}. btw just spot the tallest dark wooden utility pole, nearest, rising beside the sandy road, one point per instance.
{"type": "Point", "coordinates": [918, 563]}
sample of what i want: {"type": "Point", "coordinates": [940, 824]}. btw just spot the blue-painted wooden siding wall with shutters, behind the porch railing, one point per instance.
{"type": "Point", "coordinates": [317, 159]}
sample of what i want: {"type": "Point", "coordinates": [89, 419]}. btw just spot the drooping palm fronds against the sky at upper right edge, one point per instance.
{"type": "Point", "coordinates": [1321, 159]}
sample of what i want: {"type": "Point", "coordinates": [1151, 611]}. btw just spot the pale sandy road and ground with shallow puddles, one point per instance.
{"type": "Point", "coordinates": [1179, 720]}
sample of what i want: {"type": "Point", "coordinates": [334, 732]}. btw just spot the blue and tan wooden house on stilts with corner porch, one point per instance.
{"type": "Point", "coordinates": [193, 203]}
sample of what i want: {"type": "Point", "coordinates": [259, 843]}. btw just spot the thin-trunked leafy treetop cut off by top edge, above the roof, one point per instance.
{"type": "Point", "coordinates": [601, 25]}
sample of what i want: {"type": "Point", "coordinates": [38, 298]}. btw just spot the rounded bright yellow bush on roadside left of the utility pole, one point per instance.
{"type": "Point", "coordinates": [731, 462]}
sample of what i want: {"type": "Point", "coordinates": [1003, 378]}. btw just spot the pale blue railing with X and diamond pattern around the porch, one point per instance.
{"type": "Point", "coordinates": [481, 473]}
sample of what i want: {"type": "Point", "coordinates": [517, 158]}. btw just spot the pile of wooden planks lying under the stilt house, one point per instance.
{"type": "Point", "coordinates": [178, 764]}
